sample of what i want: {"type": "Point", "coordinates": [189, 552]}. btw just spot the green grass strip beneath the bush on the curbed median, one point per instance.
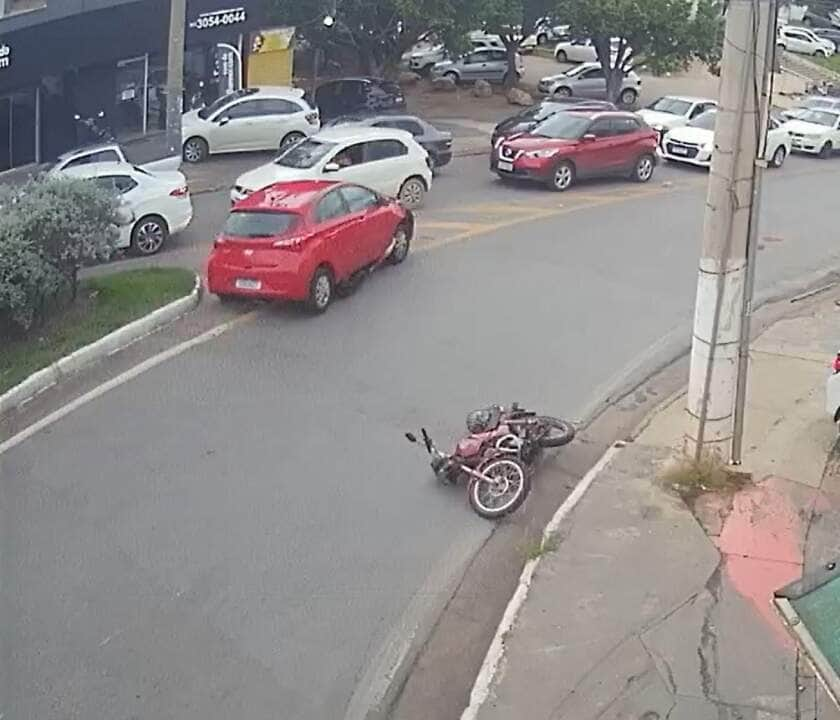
{"type": "Point", "coordinates": [103, 305]}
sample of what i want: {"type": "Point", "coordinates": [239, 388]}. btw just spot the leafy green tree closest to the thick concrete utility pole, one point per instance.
{"type": "Point", "coordinates": [661, 34]}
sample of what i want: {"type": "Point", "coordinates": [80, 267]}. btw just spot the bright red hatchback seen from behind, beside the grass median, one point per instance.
{"type": "Point", "coordinates": [306, 240]}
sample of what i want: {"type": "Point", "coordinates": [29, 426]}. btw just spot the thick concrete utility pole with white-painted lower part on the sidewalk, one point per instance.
{"type": "Point", "coordinates": [724, 279]}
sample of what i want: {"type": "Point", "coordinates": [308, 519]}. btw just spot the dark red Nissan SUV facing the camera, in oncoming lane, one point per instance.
{"type": "Point", "coordinates": [572, 145]}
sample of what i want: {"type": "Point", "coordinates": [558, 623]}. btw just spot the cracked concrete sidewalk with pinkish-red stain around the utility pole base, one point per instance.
{"type": "Point", "coordinates": [650, 610]}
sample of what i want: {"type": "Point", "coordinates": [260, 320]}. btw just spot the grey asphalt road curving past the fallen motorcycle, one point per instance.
{"type": "Point", "coordinates": [234, 532]}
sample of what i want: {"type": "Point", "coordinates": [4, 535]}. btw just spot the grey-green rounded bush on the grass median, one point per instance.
{"type": "Point", "coordinates": [49, 228]}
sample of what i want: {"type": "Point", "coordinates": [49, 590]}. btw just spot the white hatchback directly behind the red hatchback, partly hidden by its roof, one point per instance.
{"type": "Point", "coordinates": [388, 161]}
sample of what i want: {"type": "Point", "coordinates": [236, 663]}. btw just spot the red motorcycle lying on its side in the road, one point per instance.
{"type": "Point", "coordinates": [496, 457]}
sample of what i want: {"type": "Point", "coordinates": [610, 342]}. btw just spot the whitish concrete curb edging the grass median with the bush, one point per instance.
{"type": "Point", "coordinates": [43, 379]}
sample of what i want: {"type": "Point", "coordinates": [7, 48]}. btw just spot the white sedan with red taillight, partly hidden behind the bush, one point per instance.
{"type": "Point", "coordinates": [159, 203]}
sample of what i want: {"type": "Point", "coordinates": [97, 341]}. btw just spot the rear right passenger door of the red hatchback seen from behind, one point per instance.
{"type": "Point", "coordinates": [340, 234]}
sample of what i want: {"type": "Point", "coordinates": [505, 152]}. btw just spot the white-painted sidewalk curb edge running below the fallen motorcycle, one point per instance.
{"type": "Point", "coordinates": [496, 651]}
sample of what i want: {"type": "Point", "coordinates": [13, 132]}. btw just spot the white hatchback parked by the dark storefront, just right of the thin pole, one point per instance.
{"type": "Point", "coordinates": [265, 118]}
